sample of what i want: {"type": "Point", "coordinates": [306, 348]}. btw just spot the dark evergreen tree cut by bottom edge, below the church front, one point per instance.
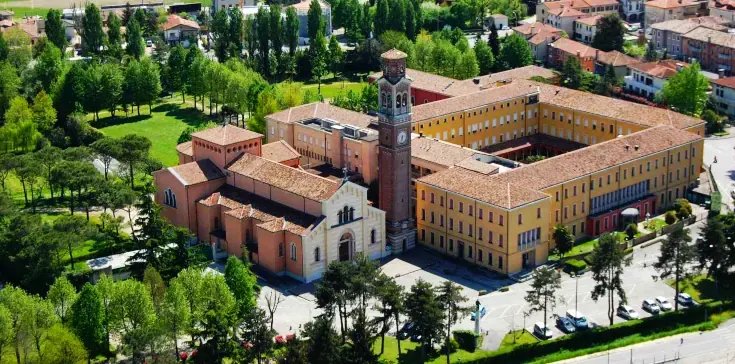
{"type": "Point", "coordinates": [323, 340]}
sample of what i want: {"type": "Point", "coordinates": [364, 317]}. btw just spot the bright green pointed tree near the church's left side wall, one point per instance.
{"type": "Point", "coordinates": [243, 285]}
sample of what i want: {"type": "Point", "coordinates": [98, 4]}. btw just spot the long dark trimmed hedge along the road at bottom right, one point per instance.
{"type": "Point", "coordinates": [604, 335]}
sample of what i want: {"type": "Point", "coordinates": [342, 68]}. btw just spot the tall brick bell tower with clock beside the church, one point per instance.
{"type": "Point", "coordinates": [394, 119]}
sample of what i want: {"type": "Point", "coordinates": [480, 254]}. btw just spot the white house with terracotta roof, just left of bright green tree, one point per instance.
{"type": "Point", "coordinates": [648, 78]}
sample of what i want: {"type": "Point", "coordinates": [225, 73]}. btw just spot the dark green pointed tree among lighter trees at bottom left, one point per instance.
{"type": "Point", "coordinates": [87, 320]}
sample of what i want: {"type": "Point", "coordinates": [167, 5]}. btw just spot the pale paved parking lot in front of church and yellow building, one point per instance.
{"type": "Point", "coordinates": [504, 309]}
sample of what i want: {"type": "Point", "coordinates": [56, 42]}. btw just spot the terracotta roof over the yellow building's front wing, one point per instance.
{"type": "Point", "coordinates": [523, 185]}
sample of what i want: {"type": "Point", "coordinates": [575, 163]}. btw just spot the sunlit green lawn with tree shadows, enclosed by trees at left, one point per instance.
{"type": "Point", "coordinates": [162, 127]}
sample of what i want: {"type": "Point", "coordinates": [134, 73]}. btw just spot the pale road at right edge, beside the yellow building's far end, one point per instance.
{"type": "Point", "coordinates": [724, 169]}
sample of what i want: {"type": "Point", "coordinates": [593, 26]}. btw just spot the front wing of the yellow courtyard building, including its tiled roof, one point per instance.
{"type": "Point", "coordinates": [503, 222]}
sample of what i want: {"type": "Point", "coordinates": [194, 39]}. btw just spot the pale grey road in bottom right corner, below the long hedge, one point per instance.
{"type": "Point", "coordinates": [711, 347]}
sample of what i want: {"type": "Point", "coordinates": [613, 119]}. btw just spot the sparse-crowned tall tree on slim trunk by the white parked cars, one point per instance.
{"type": "Point", "coordinates": [676, 259]}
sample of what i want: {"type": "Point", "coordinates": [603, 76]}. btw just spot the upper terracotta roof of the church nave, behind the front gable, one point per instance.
{"type": "Point", "coordinates": [293, 180]}
